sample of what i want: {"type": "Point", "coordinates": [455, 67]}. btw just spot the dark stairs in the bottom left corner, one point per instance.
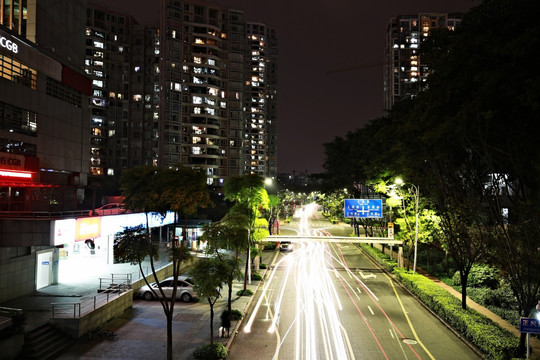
{"type": "Point", "coordinates": [44, 343]}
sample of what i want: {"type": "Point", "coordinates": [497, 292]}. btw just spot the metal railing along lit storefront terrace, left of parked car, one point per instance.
{"type": "Point", "coordinates": [116, 285]}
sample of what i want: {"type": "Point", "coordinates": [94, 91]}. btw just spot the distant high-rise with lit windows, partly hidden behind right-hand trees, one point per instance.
{"type": "Point", "coordinates": [405, 72]}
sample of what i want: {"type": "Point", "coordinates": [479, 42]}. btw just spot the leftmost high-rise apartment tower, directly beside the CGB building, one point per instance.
{"type": "Point", "coordinates": [107, 64]}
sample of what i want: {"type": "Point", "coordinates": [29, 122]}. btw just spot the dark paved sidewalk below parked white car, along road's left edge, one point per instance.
{"type": "Point", "coordinates": [142, 330]}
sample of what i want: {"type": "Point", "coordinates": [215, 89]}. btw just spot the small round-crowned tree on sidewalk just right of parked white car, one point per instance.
{"type": "Point", "coordinates": [209, 275]}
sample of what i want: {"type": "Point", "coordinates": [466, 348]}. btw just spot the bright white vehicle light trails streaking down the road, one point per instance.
{"type": "Point", "coordinates": [316, 326]}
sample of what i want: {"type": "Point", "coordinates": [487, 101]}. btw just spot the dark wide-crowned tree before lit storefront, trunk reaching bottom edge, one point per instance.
{"type": "Point", "coordinates": [153, 190]}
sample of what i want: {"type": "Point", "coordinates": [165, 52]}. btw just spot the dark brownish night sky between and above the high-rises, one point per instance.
{"type": "Point", "coordinates": [317, 37]}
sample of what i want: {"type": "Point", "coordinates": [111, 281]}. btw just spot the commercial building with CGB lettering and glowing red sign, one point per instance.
{"type": "Point", "coordinates": [44, 126]}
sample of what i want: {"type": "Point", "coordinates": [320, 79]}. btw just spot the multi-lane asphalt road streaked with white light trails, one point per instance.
{"type": "Point", "coordinates": [330, 301]}
